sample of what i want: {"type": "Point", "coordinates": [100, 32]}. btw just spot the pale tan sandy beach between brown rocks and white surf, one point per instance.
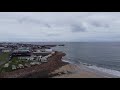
{"type": "Point", "coordinates": [79, 72]}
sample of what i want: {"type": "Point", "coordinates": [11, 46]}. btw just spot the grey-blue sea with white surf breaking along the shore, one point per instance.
{"type": "Point", "coordinates": [102, 56]}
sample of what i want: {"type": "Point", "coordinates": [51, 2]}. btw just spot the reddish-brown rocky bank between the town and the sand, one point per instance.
{"type": "Point", "coordinates": [38, 71]}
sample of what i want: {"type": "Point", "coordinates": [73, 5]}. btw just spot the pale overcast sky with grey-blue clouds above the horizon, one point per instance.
{"type": "Point", "coordinates": [59, 26]}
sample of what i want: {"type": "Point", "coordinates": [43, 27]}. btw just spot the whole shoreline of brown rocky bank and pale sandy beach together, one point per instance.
{"type": "Point", "coordinates": [57, 68]}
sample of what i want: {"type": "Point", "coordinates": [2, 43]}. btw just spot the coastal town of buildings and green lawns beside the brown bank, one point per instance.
{"type": "Point", "coordinates": [17, 56]}
